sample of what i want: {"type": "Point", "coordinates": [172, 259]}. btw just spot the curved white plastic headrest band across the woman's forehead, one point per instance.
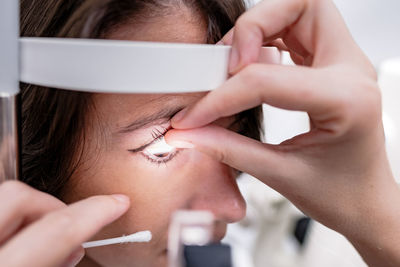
{"type": "Point", "coordinates": [110, 66]}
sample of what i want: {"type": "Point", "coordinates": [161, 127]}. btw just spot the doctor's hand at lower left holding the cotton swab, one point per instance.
{"type": "Point", "coordinates": [38, 230]}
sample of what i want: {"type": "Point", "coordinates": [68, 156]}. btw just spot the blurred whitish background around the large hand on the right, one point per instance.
{"type": "Point", "coordinates": [275, 233]}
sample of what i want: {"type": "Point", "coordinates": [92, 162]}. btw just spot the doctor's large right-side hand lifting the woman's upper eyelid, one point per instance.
{"type": "Point", "coordinates": [338, 172]}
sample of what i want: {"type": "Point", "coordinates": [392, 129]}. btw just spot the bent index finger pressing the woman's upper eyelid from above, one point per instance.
{"type": "Point", "coordinates": [255, 85]}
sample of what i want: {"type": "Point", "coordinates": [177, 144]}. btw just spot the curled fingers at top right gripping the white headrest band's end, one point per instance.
{"type": "Point", "coordinates": [312, 29]}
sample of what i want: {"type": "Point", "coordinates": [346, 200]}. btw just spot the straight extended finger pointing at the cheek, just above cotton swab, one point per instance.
{"type": "Point", "coordinates": [51, 240]}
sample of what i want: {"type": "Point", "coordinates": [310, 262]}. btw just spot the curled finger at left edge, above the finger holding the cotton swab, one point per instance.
{"type": "Point", "coordinates": [20, 205]}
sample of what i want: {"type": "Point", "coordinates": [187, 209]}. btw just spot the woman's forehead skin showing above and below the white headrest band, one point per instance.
{"type": "Point", "coordinates": [181, 25]}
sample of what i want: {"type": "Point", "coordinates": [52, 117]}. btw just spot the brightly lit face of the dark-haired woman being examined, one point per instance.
{"type": "Point", "coordinates": [117, 160]}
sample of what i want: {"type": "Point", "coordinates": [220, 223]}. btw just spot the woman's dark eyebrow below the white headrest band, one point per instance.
{"type": "Point", "coordinates": [165, 113]}
